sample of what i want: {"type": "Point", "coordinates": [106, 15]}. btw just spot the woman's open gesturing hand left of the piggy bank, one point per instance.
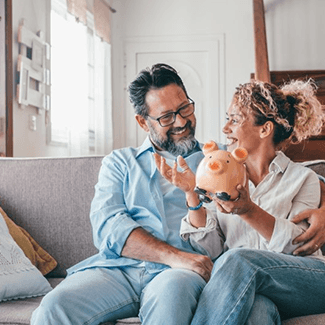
{"type": "Point", "coordinates": [184, 180]}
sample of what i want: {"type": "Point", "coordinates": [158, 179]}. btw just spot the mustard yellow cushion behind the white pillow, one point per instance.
{"type": "Point", "coordinates": [36, 254]}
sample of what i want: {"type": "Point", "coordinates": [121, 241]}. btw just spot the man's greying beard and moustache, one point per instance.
{"type": "Point", "coordinates": [182, 147]}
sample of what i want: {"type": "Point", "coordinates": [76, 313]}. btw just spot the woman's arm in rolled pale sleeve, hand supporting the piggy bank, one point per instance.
{"type": "Point", "coordinates": [278, 231]}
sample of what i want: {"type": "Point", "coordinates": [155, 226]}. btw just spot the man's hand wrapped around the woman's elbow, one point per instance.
{"type": "Point", "coordinates": [314, 237]}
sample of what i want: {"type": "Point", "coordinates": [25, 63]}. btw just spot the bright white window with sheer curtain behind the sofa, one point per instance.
{"type": "Point", "coordinates": [81, 85]}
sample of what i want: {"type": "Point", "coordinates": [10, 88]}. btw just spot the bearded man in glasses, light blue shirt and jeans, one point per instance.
{"type": "Point", "coordinates": [143, 267]}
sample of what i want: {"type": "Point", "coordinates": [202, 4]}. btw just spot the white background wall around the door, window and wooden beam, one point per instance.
{"type": "Point", "coordinates": [295, 31]}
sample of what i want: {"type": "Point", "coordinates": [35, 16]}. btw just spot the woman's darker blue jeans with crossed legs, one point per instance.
{"type": "Point", "coordinates": [295, 285]}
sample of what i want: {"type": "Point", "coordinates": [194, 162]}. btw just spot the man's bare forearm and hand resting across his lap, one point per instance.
{"type": "Point", "coordinates": [143, 246]}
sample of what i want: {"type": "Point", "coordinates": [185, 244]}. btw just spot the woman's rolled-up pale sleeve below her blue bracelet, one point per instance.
{"type": "Point", "coordinates": [208, 240]}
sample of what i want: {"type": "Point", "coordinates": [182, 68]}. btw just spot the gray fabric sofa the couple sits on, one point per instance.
{"type": "Point", "coordinates": [50, 198]}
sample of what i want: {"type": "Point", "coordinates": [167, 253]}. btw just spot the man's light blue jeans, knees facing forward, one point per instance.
{"type": "Point", "coordinates": [107, 294]}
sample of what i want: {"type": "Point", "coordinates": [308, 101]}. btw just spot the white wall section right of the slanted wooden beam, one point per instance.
{"type": "Point", "coordinates": [296, 33]}
